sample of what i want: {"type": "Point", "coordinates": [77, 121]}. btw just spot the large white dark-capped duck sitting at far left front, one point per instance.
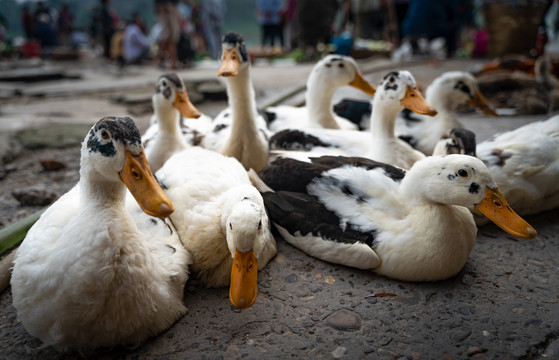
{"type": "Point", "coordinates": [87, 275]}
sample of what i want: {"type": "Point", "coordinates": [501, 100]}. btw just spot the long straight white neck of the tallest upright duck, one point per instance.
{"type": "Point", "coordinates": [243, 105]}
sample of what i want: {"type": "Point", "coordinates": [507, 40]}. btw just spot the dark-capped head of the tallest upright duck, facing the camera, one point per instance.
{"type": "Point", "coordinates": [234, 55]}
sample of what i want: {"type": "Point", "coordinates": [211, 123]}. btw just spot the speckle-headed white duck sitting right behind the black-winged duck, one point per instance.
{"type": "Point", "coordinates": [397, 90]}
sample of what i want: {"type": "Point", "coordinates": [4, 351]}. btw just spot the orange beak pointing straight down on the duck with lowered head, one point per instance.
{"type": "Point", "coordinates": [242, 291]}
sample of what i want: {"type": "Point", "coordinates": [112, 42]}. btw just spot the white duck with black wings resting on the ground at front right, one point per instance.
{"type": "Point", "coordinates": [413, 225]}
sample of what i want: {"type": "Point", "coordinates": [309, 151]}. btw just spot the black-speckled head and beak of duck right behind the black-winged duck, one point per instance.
{"type": "Point", "coordinates": [398, 90]}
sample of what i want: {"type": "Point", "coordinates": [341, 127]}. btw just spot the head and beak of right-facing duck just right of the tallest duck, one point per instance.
{"type": "Point", "coordinates": [335, 71]}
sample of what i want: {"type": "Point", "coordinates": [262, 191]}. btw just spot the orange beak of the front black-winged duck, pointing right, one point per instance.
{"type": "Point", "coordinates": [495, 207]}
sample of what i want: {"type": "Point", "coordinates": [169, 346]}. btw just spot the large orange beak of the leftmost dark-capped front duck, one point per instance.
{"type": "Point", "coordinates": [136, 175]}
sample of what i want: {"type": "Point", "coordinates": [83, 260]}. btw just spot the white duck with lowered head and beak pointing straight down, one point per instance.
{"type": "Point", "coordinates": [221, 221]}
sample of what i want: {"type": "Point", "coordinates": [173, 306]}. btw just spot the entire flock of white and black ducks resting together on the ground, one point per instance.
{"type": "Point", "coordinates": [106, 264]}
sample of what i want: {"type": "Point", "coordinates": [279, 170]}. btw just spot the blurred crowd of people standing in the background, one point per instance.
{"type": "Point", "coordinates": [309, 28]}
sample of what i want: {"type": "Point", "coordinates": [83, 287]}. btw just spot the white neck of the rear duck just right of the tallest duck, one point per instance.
{"type": "Point", "coordinates": [319, 105]}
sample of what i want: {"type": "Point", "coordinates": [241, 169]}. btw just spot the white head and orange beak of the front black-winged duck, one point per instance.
{"type": "Point", "coordinates": [465, 181]}
